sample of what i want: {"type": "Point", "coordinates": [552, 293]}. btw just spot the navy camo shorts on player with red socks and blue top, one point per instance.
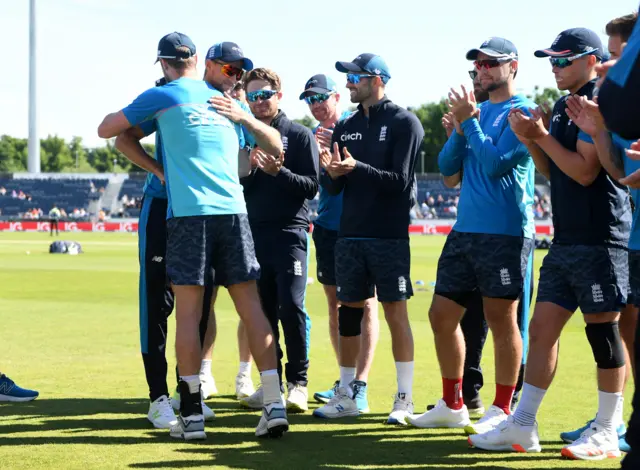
{"type": "Point", "coordinates": [494, 264]}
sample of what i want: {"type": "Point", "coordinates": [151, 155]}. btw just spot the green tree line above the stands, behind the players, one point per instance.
{"type": "Point", "coordinates": [60, 156]}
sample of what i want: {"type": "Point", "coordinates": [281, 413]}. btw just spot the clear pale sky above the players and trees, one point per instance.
{"type": "Point", "coordinates": [95, 56]}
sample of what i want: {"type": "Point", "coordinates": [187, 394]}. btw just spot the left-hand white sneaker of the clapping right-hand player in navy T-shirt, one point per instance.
{"type": "Point", "coordinates": [508, 436]}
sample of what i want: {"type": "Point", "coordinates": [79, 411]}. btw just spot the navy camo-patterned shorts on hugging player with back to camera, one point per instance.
{"type": "Point", "coordinates": [218, 244]}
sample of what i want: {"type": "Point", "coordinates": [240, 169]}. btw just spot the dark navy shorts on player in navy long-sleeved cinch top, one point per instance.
{"type": "Point", "coordinates": [364, 266]}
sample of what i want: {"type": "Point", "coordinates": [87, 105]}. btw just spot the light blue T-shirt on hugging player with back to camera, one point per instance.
{"type": "Point", "coordinates": [200, 147]}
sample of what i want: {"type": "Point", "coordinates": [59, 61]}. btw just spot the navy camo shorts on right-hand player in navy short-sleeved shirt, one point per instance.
{"type": "Point", "coordinates": [594, 278]}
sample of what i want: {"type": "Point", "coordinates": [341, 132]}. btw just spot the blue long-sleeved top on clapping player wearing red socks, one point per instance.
{"type": "Point", "coordinates": [497, 194]}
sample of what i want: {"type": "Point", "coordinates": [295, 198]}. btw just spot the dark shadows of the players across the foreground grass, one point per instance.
{"type": "Point", "coordinates": [231, 442]}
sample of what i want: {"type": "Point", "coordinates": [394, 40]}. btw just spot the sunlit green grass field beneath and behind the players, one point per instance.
{"type": "Point", "coordinates": [69, 328]}
